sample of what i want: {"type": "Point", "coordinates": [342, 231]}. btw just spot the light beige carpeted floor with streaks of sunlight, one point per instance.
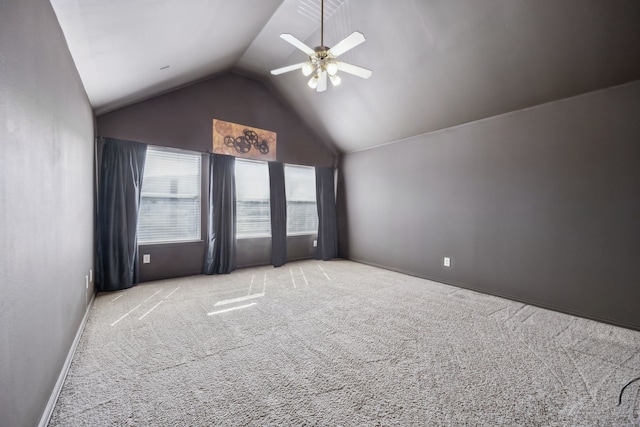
{"type": "Point", "coordinates": [340, 343]}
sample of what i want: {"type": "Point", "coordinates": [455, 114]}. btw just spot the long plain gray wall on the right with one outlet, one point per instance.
{"type": "Point", "coordinates": [540, 205]}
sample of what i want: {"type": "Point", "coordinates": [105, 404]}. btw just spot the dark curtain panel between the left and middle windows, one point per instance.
{"type": "Point", "coordinates": [220, 257]}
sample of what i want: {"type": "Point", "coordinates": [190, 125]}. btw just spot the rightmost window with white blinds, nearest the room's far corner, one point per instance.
{"type": "Point", "coordinates": [300, 185]}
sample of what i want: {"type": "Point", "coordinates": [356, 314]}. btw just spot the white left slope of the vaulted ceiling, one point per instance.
{"type": "Point", "coordinates": [121, 47]}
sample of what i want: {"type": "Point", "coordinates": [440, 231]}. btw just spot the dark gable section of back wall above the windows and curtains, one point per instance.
{"type": "Point", "coordinates": [183, 119]}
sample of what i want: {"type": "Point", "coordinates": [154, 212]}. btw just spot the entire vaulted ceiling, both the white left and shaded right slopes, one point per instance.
{"type": "Point", "coordinates": [436, 63]}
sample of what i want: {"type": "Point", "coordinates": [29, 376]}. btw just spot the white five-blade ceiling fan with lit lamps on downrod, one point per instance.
{"type": "Point", "coordinates": [322, 64]}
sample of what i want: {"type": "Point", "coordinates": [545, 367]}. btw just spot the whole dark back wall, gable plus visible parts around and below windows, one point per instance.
{"type": "Point", "coordinates": [183, 119]}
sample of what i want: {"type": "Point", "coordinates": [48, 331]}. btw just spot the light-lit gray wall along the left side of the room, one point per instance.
{"type": "Point", "coordinates": [46, 207]}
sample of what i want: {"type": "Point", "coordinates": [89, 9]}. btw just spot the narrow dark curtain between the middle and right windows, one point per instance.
{"type": "Point", "coordinates": [278, 214]}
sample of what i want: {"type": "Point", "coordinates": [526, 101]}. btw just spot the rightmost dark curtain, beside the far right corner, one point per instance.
{"type": "Point", "coordinates": [327, 221]}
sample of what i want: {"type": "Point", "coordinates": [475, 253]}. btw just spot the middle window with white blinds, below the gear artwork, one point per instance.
{"type": "Point", "coordinates": [253, 208]}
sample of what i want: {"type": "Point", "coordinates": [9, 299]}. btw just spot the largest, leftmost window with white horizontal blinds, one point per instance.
{"type": "Point", "coordinates": [170, 197]}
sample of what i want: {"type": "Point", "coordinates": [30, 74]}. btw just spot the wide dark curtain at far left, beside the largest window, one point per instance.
{"type": "Point", "coordinates": [121, 171]}
